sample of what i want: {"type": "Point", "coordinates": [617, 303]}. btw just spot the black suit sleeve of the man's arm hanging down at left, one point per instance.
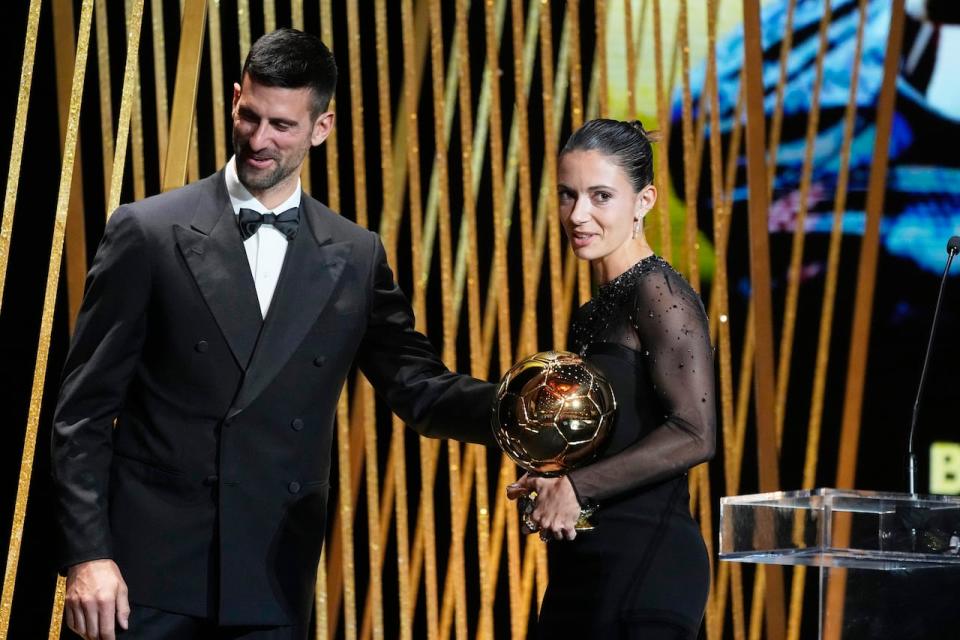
{"type": "Point", "coordinates": [103, 356]}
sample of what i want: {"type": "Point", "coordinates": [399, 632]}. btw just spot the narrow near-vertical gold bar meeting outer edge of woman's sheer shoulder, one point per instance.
{"type": "Point", "coordinates": [689, 157]}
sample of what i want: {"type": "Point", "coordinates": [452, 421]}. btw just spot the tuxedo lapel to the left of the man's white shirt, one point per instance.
{"type": "Point", "coordinates": [213, 250]}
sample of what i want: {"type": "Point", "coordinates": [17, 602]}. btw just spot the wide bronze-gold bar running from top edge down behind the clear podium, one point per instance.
{"type": "Point", "coordinates": [760, 289]}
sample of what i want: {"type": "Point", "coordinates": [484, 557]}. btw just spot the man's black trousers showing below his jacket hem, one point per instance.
{"type": "Point", "coordinates": [154, 624]}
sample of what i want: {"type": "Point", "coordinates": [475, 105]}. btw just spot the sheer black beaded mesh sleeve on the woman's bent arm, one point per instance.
{"type": "Point", "coordinates": [670, 328]}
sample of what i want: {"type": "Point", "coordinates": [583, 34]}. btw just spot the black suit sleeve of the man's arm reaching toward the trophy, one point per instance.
{"type": "Point", "coordinates": [404, 368]}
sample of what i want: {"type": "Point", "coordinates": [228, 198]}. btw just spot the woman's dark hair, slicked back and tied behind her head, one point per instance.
{"type": "Point", "coordinates": [626, 143]}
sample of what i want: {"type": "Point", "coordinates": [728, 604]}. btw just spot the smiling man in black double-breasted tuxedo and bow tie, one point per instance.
{"type": "Point", "coordinates": [219, 335]}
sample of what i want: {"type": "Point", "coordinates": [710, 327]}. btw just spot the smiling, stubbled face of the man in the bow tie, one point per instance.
{"type": "Point", "coordinates": [272, 132]}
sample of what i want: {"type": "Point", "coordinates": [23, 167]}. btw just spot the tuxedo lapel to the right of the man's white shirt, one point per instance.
{"type": "Point", "coordinates": [311, 271]}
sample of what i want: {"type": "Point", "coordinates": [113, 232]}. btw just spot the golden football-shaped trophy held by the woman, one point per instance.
{"type": "Point", "coordinates": [552, 413]}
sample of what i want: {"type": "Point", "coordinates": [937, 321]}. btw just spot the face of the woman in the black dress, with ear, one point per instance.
{"type": "Point", "coordinates": [598, 206]}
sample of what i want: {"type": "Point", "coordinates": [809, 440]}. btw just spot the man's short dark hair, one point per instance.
{"type": "Point", "coordinates": [293, 59]}
